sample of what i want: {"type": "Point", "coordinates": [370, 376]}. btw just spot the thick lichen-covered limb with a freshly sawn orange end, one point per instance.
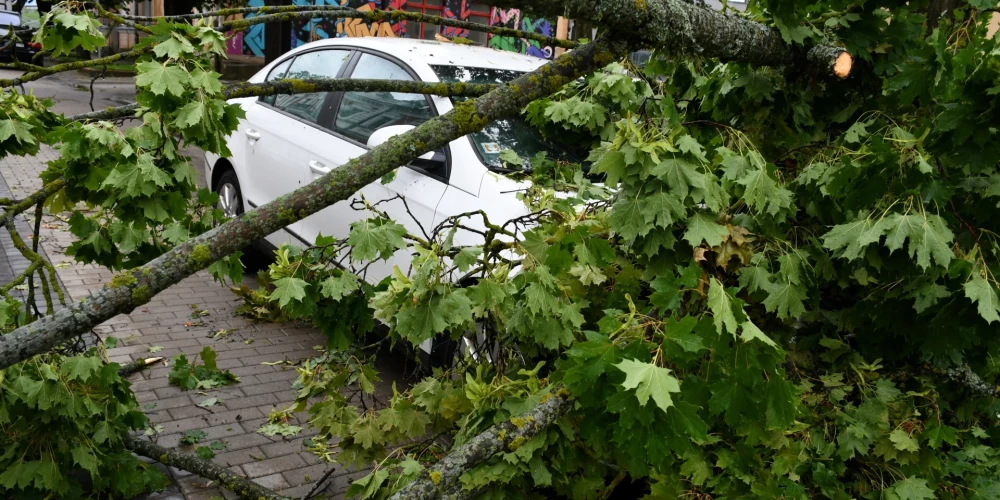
{"type": "Point", "coordinates": [683, 28]}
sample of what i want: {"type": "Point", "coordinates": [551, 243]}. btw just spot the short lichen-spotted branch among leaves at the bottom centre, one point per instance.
{"type": "Point", "coordinates": [506, 436]}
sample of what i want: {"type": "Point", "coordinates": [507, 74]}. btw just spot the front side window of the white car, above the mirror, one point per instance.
{"type": "Point", "coordinates": [362, 113]}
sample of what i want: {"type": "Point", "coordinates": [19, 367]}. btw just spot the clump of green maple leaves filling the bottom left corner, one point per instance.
{"type": "Point", "coordinates": [62, 422]}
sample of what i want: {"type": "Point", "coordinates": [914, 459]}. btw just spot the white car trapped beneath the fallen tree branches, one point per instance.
{"type": "Point", "coordinates": [288, 141]}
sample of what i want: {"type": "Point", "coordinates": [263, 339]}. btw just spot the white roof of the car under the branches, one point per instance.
{"type": "Point", "coordinates": [416, 52]}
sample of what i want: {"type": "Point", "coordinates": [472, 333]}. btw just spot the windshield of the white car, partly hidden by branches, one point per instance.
{"type": "Point", "coordinates": [511, 133]}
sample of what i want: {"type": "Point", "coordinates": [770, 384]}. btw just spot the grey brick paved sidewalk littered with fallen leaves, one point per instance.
{"type": "Point", "coordinates": [277, 463]}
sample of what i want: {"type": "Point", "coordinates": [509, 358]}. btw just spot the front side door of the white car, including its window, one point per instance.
{"type": "Point", "coordinates": [358, 116]}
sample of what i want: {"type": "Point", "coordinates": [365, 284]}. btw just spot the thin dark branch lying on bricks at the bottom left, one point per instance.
{"type": "Point", "coordinates": [242, 487]}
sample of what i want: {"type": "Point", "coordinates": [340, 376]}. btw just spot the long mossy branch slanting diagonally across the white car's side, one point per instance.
{"type": "Point", "coordinates": [340, 184]}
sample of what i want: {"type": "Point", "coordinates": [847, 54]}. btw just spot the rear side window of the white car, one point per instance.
{"type": "Point", "coordinates": [317, 64]}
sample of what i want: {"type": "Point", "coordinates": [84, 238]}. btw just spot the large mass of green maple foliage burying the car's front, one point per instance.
{"type": "Point", "coordinates": [788, 268]}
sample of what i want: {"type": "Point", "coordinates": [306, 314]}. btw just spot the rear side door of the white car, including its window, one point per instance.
{"type": "Point", "coordinates": [282, 131]}
